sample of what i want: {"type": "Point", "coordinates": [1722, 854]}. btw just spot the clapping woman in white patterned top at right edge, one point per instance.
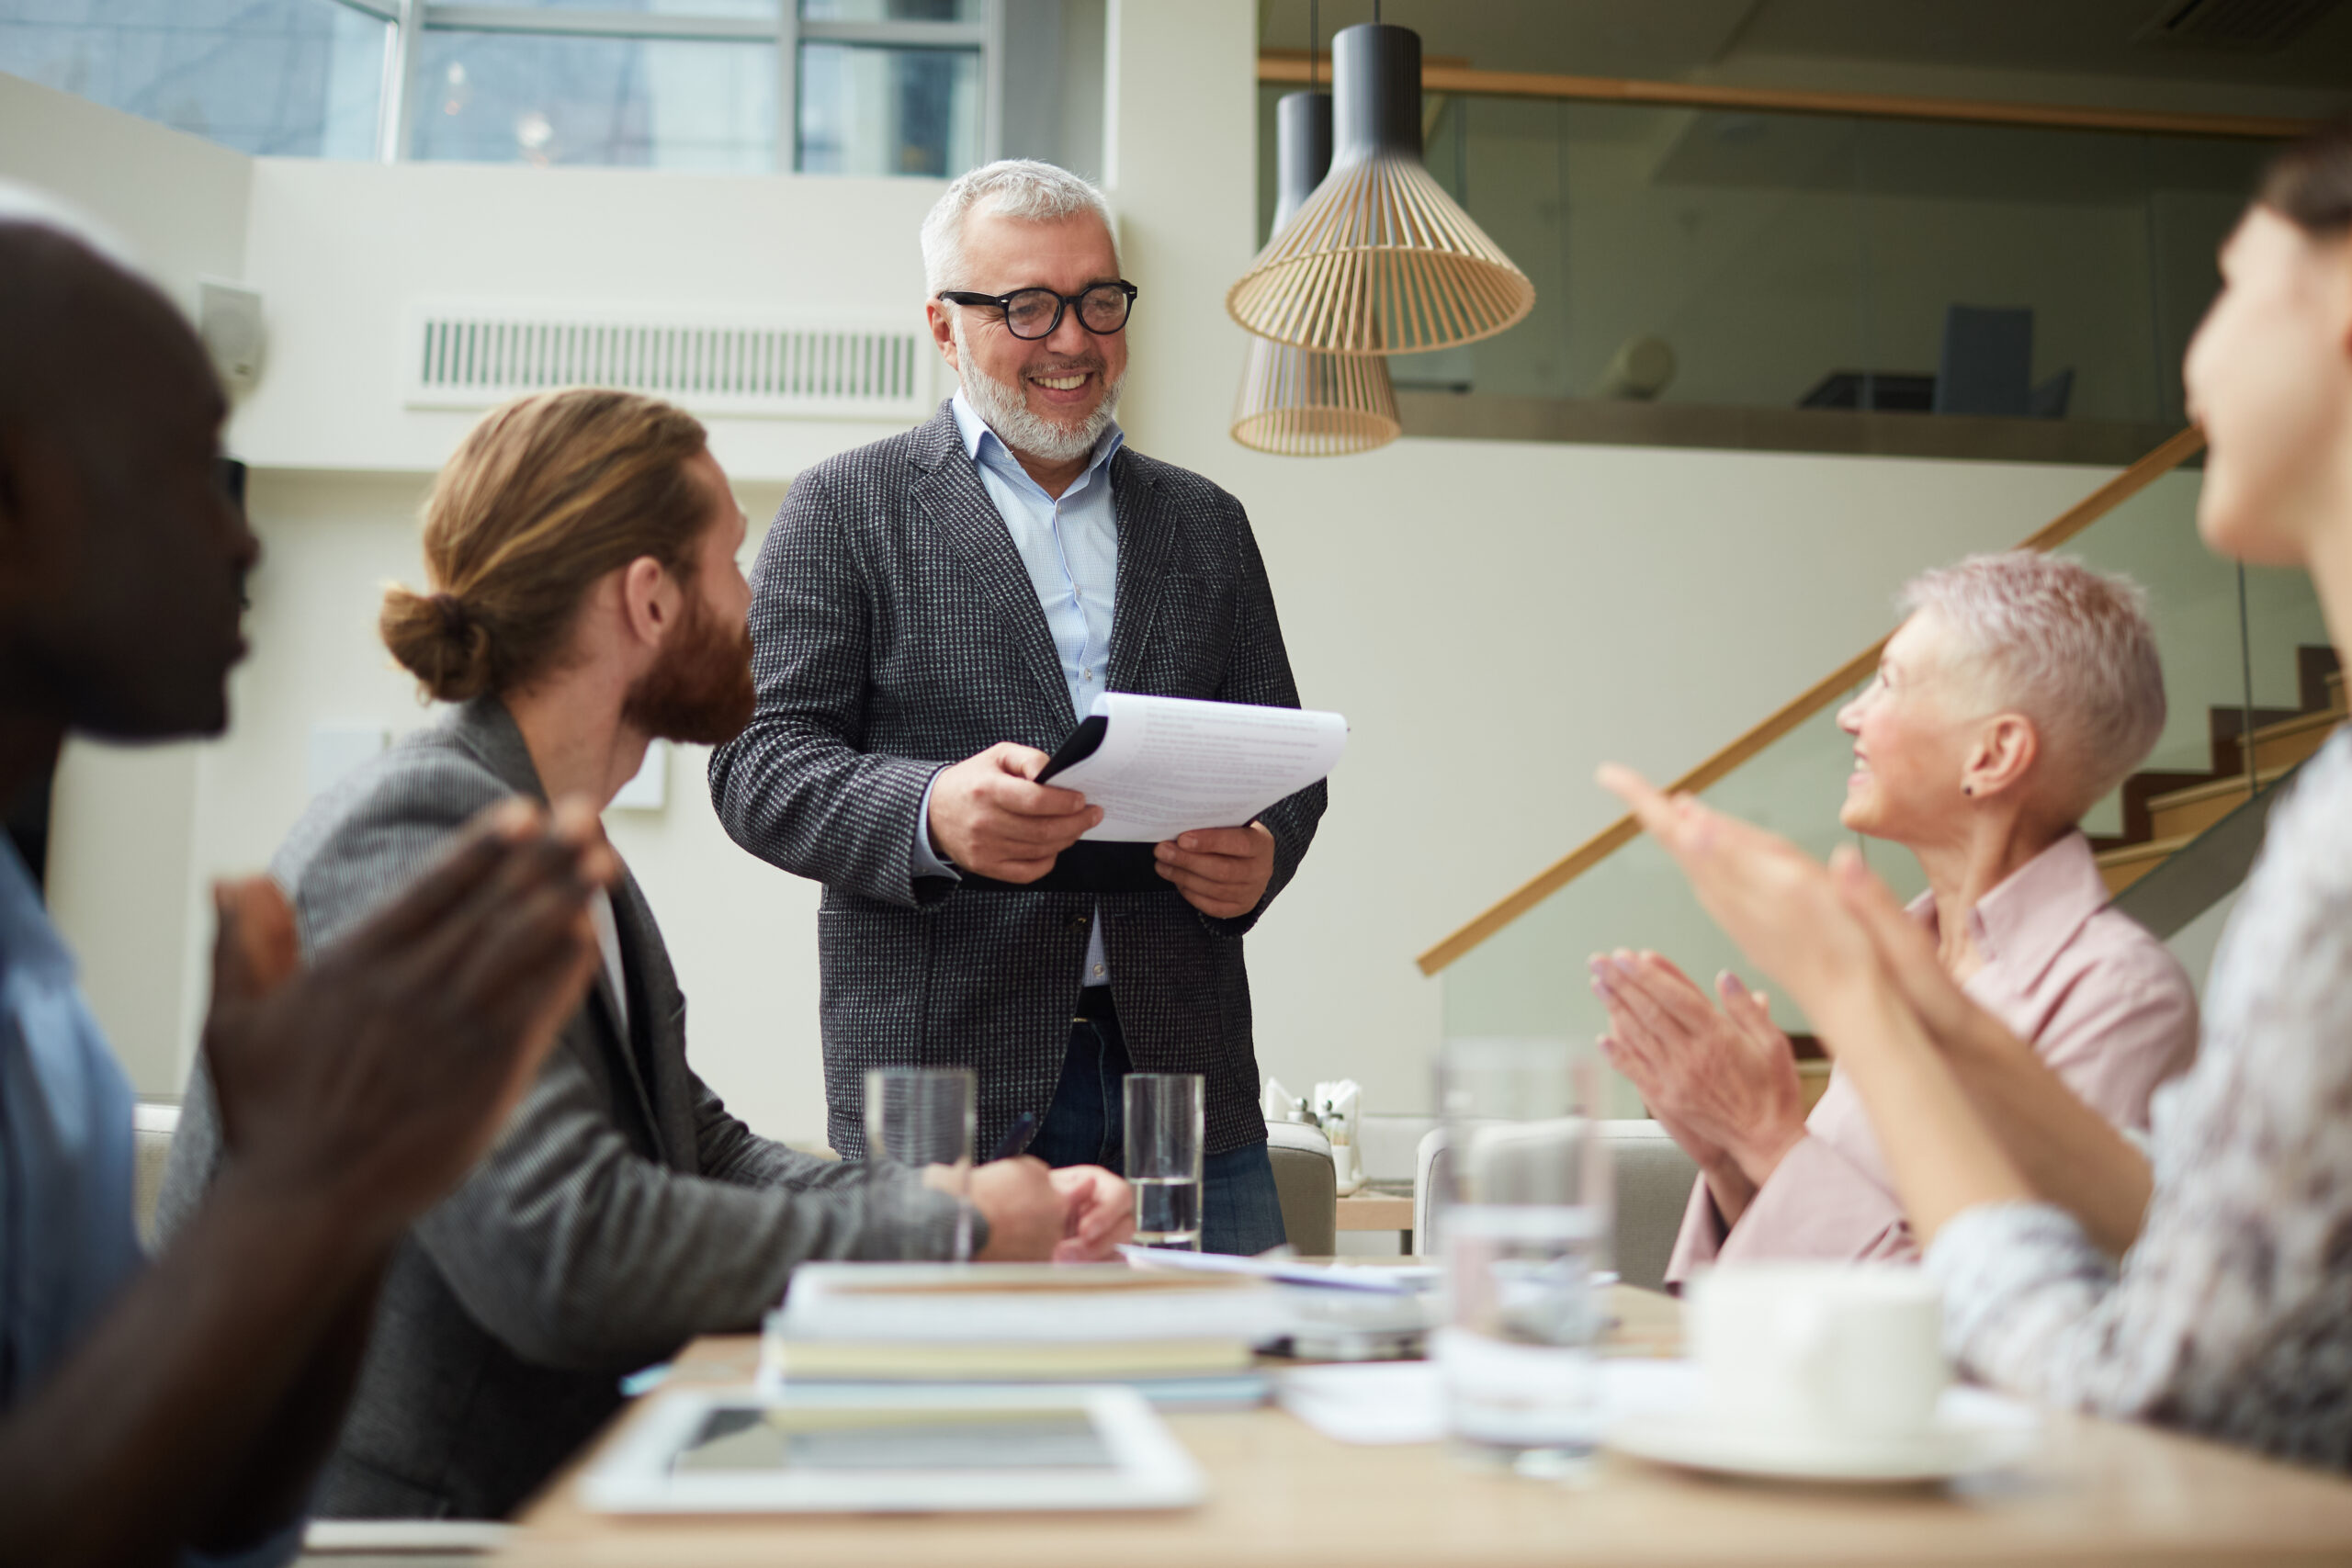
{"type": "Point", "coordinates": [2203, 1280]}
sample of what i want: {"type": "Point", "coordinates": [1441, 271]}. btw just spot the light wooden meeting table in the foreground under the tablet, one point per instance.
{"type": "Point", "coordinates": [1283, 1496]}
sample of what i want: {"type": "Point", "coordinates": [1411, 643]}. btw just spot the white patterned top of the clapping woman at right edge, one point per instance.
{"type": "Point", "coordinates": [2233, 1313]}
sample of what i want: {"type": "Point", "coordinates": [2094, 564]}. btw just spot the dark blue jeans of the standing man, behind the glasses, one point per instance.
{"type": "Point", "coordinates": [1085, 1127]}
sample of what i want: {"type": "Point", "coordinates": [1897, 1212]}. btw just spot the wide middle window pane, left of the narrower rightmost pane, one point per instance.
{"type": "Point", "coordinates": [648, 102]}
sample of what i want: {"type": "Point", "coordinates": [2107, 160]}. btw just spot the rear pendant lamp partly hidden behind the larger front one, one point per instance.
{"type": "Point", "coordinates": [1295, 401]}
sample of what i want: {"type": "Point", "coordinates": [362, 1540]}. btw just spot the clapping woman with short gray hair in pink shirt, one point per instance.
{"type": "Point", "coordinates": [2017, 692]}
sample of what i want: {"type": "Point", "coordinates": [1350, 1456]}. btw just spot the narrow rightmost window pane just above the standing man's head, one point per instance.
{"type": "Point", "coordinates": [890, 112]}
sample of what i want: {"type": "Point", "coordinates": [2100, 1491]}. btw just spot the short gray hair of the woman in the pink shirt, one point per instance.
{"type": "Point", "coordinates": [2064, 645]}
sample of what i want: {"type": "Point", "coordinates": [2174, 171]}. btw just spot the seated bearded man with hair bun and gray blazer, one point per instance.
{"type": "Point", "coordinates": [584, 603]}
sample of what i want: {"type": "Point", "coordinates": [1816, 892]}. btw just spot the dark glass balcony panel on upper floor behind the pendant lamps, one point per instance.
{"type": "Point", "coordinates": [1822, 262]}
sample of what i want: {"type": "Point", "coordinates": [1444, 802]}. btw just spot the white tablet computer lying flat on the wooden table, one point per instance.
{"type": "Point", "coordinates": [871, 1449]}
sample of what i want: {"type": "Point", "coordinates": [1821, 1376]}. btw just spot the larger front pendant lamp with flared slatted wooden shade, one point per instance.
{"type": "Point", "coordinates": [1379, 262]}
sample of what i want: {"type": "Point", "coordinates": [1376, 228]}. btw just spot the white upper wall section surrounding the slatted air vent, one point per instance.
{"type": "Point", "coordinates": [342, 250]}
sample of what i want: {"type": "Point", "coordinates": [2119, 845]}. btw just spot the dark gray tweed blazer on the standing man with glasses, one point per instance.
{"type": "Point", "coordinates": [895, 631]}
